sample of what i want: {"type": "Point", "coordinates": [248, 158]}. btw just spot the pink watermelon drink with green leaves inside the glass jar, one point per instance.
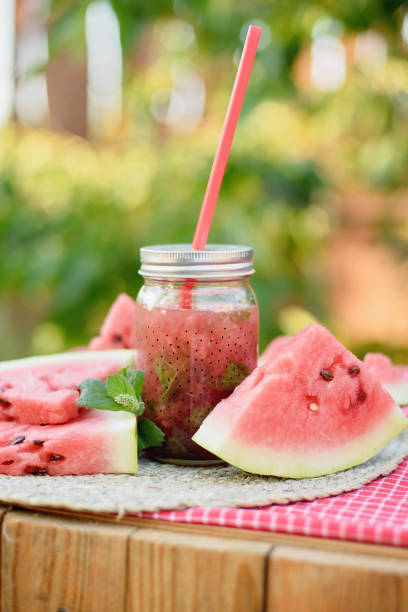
{"type": "Point", "coordinates": [193, 358]}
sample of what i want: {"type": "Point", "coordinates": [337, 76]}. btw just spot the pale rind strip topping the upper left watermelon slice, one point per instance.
{"type": "Point", "coordinates": [127, 356]}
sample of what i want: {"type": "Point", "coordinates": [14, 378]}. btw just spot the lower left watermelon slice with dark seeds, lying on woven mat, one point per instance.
{"type": "Point", "coordinates": [95, 442]}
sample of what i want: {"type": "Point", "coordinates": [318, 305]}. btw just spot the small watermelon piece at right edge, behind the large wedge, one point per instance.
{"type": "Point", "coordinates": [392, 377]}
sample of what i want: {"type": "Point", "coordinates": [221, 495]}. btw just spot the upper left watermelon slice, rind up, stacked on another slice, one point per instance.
{"type": "Point", "coordinates": [44, 390]}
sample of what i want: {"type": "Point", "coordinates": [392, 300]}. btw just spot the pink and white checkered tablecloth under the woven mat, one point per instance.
{"type": "Point", "coordinates": [376, 513]}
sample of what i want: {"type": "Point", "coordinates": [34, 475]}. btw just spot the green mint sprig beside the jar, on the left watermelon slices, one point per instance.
{"type": "Point", "coordinates": [122, 391]}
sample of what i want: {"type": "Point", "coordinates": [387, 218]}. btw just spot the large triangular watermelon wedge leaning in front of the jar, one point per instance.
{"type": "Point", "coordinates": [313, 409]}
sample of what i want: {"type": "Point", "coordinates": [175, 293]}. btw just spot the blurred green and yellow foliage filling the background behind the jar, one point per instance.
{"type": "Point", "coordinates": [74, 213]}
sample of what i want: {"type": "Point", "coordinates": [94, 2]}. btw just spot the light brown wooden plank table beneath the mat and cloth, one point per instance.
{"type": "Point", "coordinates": [57, 561]}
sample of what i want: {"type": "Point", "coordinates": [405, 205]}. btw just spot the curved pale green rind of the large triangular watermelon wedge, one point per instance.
{"type": "Point", "coordinates": [264, 461]}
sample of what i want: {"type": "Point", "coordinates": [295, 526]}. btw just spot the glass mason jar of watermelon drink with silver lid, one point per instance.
{"type": "Point", "coordinates": [197, 338]}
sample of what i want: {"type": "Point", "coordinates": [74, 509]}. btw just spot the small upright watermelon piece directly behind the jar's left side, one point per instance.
{"type": "Point", "coordinates": [119, 328]}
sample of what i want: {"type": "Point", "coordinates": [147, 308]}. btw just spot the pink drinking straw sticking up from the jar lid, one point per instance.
{"type": "Point", "coordinates": [227, 135]}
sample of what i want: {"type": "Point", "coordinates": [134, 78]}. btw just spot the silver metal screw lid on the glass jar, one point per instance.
{"type": "Point", "coordinates": [178, 261]}
